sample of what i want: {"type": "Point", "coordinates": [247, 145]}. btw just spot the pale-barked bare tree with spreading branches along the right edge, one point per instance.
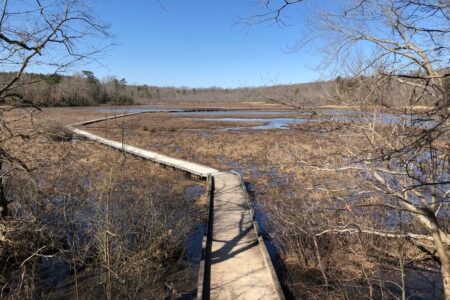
{"type": "Point", "coordinates": [391, 49]}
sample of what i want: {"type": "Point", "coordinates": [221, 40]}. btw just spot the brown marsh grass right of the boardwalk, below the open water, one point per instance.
{"type": "Point", "coordinates": [290, 174]}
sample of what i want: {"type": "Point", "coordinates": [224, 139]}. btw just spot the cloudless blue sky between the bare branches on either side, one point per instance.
{"type": "Point", "coordinates": [199, 44]}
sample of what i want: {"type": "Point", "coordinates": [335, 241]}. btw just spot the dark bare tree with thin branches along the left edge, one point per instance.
{"type": "Point", "coordinates": [48, 36]}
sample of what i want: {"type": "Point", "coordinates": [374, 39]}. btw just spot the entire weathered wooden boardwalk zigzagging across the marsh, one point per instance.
{"type": "Point", "coordinates": [235, 262]}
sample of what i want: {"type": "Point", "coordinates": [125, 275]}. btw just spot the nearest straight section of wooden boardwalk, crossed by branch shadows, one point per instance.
{"type": "Point", "coordinates": [240, 265]}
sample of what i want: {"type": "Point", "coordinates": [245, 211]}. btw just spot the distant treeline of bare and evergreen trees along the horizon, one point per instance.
{"type": "Point", "coordinates": [84, 89]}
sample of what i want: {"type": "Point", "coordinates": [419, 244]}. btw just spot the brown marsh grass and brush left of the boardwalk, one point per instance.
{"type": "Point", "coordinates": [91, 222]}
